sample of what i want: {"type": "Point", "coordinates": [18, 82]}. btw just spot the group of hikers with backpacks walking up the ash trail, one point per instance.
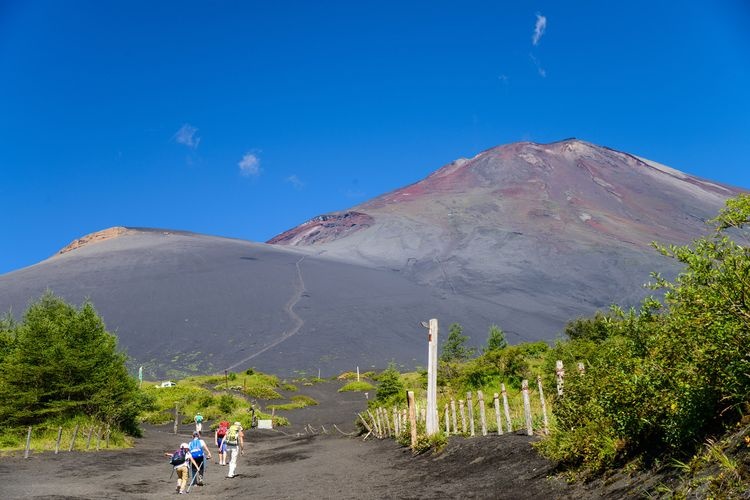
{"type": "Point", "coordinates": [189, 461]}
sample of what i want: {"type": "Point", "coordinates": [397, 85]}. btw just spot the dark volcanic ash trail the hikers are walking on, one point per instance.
{"type": "Point", "coordinates": [290, 464]}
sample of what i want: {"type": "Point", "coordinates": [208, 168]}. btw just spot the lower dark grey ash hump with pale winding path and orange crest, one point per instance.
{"type": "Point", "coordinates": [188, 303]}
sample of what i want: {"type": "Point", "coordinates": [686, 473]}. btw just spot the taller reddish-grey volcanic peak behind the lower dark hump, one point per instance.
{"type": "Point", "coordinates": [559, 229]}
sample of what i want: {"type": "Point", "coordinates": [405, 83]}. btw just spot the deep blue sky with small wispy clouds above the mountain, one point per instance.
{"type": "Point", "coordinates": [244, 119]}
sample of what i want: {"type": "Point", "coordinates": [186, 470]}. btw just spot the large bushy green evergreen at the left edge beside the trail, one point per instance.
{"type": "Point", "coordinates": [62, 363]}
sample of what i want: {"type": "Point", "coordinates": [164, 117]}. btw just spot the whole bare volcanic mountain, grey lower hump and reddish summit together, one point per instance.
{"type": "Point", "coordinates": [526, 236]}
